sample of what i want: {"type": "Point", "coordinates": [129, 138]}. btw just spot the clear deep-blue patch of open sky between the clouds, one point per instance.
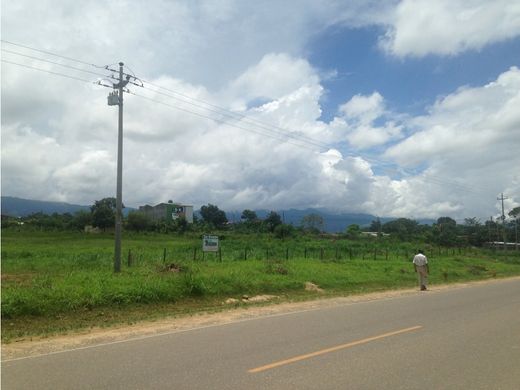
{"type": "Point", "coordinates": [410, 85]}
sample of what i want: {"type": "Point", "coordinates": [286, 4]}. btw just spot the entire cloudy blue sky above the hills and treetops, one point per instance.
{"type": "Point", "coordinates": [404, 108]}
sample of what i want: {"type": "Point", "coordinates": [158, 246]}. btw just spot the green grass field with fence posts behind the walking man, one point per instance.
{"type": "Point", "coordinates": [55, 282]}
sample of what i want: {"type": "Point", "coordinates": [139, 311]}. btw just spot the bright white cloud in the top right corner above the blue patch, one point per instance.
{"type": "Point", "coordinates": [449, 27]}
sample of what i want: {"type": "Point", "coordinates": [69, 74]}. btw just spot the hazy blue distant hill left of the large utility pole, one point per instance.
{"type": "Point", "coordinates": [18, 207]}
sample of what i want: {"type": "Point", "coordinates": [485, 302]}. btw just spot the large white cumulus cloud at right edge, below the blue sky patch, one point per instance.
{"type": "Point", "coordinates": [469, 143]}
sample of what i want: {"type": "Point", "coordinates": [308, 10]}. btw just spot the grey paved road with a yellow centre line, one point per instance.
{"type": "Point", "coordinates": [463, 338]}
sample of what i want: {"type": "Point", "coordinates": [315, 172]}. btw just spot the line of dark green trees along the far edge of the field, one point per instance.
{"type": "Point", "coordinates": [445, 231]}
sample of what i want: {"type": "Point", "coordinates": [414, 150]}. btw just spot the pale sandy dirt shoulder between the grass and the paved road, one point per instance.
{"type": "Point", "coordinates": [99, 336]}
